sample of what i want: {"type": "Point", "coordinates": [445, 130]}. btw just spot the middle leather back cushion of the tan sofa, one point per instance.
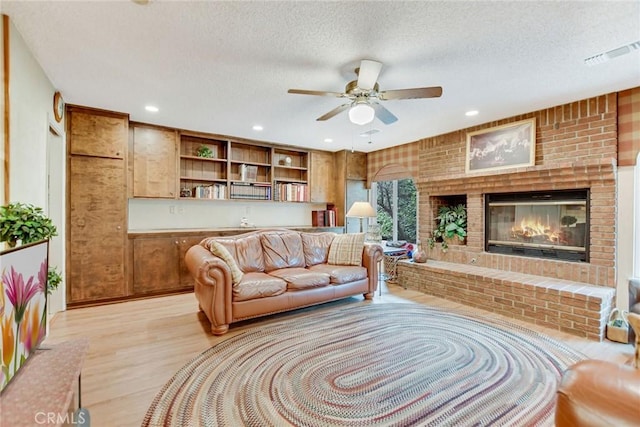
{"type": "Point", "coordinates": [281, 249]}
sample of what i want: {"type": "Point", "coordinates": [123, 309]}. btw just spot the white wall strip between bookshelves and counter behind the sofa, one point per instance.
{"type": "Point", "coordinates": [149, 214]}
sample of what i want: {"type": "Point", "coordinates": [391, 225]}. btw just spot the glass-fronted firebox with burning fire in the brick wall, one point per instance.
{"type": "Point", "coordinates": [551, 224]}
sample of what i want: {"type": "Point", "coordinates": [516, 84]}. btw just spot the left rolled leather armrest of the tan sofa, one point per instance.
{"type": "Point", "coordinates": [213, 286]}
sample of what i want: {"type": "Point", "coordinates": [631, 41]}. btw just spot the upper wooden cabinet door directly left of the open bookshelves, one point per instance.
{"type": "Point", "coordinates": [154, 162]}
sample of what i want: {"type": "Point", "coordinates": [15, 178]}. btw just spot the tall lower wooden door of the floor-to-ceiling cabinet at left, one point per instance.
{"type": "Point", "coordinates": [97, 229]}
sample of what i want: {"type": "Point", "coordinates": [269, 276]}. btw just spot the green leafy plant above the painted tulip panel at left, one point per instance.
{"type": "Point", "coordinates": [24, 223]}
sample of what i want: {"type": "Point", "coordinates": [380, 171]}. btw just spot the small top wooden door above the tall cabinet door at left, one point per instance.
{"type": "Point", "coordinates": [97, 133]}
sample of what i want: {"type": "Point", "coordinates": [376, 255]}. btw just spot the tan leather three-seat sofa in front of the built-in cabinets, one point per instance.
{"type": "Point", "coordinates": [281, 270]}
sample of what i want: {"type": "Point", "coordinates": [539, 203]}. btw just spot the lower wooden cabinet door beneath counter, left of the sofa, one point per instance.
{"type": "Point", "coordinates": [156, 265]}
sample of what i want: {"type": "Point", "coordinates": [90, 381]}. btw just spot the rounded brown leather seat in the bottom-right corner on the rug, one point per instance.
{"type": "Point", "coordinates": [598, 393]}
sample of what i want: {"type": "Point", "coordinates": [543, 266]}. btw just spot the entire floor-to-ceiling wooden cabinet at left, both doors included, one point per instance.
{"type": "Point", "coordinates": [97, 205]}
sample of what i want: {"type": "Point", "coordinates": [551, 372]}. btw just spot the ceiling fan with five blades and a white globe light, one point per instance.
{"type": "Point", "coordinates": [363, 95]}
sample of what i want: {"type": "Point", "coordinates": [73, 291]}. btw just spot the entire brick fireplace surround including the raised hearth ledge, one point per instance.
{"type": "Point", "coordinates": [576, 148]}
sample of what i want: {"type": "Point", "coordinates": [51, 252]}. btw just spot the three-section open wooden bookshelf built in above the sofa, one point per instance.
{"type": "Point", "coordinates": [225, 169]}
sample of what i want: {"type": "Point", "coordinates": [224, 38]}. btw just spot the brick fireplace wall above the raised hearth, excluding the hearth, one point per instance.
{"type": "Point", "coordinates": [576, 147]}
